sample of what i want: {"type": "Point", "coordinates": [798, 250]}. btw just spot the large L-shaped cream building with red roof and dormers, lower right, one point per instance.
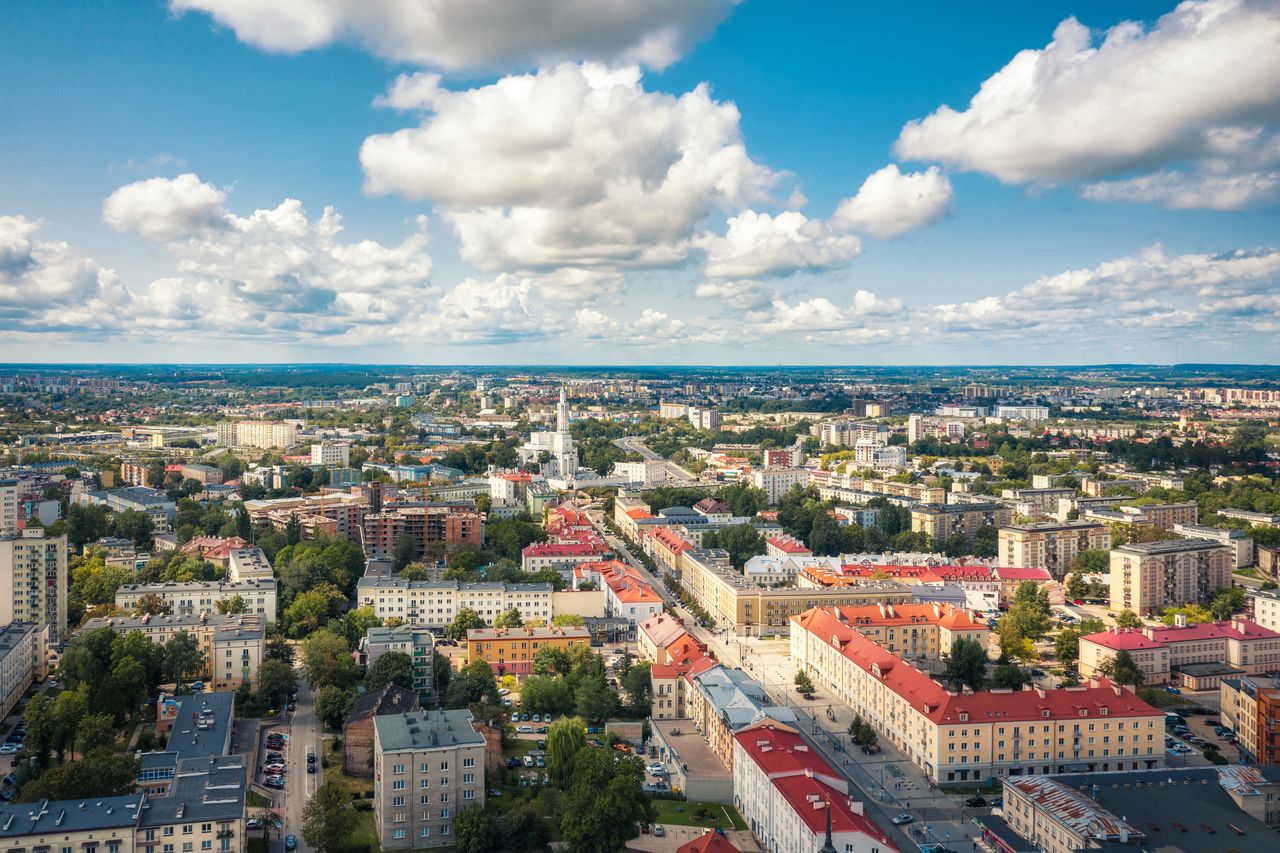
{"type": "Point", "coordinates": [959, 738]}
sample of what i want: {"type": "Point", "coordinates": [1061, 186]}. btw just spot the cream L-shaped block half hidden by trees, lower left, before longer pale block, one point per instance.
{"type": "Point", "coordinates": [231, 647]}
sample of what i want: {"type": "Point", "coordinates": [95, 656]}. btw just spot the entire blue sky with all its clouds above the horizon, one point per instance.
{"type": "Point", "coordinates": [668, 183]}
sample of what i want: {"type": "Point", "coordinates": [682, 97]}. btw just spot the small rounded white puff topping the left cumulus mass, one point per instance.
{"type": "Point", "coordinates": [166, 208]}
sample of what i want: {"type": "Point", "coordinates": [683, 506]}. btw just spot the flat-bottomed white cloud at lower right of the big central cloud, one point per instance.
{"type": "Point", "coordinates": [757, 245]}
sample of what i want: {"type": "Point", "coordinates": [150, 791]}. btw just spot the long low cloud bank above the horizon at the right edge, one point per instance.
{"type": "Point", "coordinates": [1160, 294]}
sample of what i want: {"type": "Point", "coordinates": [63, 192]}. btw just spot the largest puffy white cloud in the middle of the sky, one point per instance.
{"type": "Point", "coordinates": [575, 166]}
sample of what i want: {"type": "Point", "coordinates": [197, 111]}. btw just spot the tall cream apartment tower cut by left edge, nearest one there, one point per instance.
{"type": "Point", "coordinates": [34, 581]}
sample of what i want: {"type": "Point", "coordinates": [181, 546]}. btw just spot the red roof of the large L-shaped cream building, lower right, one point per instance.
{"type": "Point", "coordinates": [941, 706]}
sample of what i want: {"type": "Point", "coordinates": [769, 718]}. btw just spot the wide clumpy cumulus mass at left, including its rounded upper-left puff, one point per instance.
{"type": "Point", "coordinates": [276, 271]}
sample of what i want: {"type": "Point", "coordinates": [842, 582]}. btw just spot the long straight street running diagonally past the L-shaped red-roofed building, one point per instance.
{"type": "Point", "coordinates": [888, 783]}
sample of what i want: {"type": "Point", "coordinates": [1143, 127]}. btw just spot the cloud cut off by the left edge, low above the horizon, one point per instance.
{"type": "Point", "coordinates": [45, 286]}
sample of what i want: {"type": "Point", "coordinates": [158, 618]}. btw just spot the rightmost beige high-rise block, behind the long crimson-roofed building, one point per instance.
{"type": "Point", "coordinates": [1148, 577]}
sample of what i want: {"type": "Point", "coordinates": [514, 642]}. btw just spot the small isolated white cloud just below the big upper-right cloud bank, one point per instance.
{"type": "Point", "coordinates": [890, 203]}
